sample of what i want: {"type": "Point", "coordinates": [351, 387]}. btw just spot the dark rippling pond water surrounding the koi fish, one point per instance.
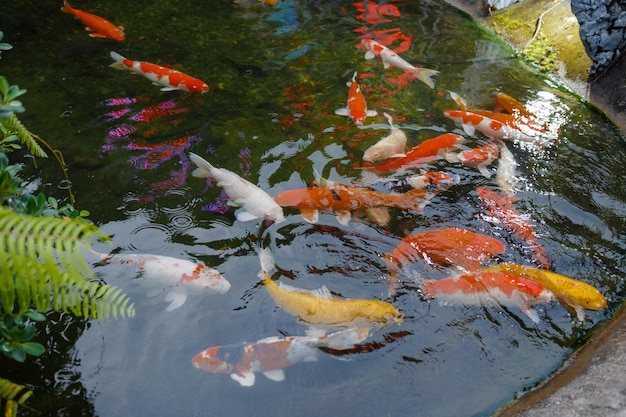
{"type": "Point", "coordinates": [277, 73]}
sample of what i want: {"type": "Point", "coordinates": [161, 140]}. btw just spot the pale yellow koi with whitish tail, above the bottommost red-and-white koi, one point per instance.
{"type": "Point", "coordinates": [319, 307]}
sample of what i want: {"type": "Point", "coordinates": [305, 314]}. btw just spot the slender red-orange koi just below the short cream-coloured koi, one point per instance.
{"type": "Point", "coordinates": [427, 151]}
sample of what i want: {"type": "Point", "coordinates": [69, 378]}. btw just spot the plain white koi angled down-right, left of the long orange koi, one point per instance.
{"type": "Point", "coordinates": [254, 202]}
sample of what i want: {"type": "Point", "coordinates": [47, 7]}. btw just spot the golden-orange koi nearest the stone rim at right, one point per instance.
{"type": "Point", "coordinates": [573, 293]}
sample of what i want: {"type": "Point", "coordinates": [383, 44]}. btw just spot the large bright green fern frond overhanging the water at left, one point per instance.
{"type": "Point", "coordinates": [42, 264]}
